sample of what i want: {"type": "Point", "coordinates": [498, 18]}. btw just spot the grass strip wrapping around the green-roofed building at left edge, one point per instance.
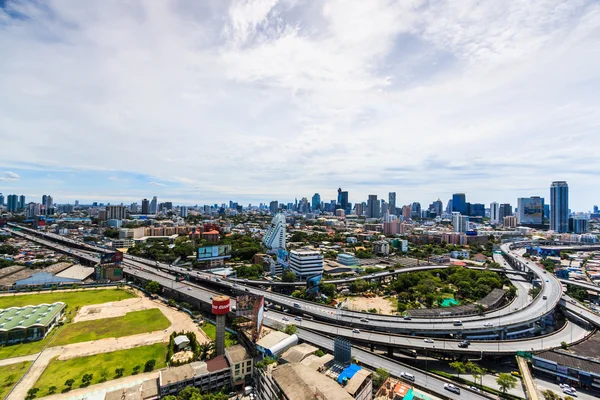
{"type": "Point", "coordinates": [74, 301]}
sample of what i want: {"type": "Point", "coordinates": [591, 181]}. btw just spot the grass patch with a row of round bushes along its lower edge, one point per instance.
{"type": "Point", "coordinates": [102, 366]}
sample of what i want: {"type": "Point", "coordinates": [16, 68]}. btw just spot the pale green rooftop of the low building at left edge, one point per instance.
{"type": "Point", "coordinates": [28, 316]}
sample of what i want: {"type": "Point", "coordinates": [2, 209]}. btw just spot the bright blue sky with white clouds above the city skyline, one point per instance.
{"type": "Point", "coordinates": [200, 102]}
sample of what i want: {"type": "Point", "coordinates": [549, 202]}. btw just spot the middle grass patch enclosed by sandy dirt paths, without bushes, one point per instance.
{"type": "Point", "coordinates": [130, 324]}
